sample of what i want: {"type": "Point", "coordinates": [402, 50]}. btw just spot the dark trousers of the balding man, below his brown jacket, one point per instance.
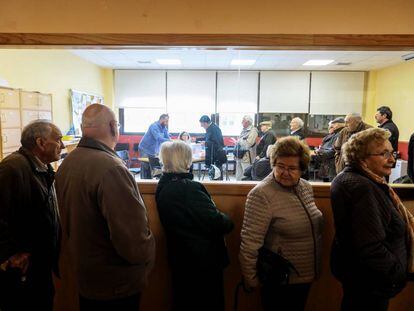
{"type": "Point", "coordinates": [130, 303]}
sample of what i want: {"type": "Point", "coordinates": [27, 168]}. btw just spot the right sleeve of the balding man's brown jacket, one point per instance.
{"type": "Point", "coordinates": [126, 216]}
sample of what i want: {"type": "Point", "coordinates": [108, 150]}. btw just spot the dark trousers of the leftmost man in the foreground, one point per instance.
{"type": "Point", "coordinates": [36, 292]}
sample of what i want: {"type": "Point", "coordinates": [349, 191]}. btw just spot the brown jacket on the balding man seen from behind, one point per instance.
{"type": "Point", "coordinates": [105, 222]}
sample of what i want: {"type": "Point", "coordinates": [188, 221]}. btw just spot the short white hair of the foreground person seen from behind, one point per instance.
{"type": "Point", "coordinates": [176, 157]}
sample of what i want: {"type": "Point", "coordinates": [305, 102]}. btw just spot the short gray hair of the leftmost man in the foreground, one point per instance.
{"type": "Point", "coordinates": [34, 130]}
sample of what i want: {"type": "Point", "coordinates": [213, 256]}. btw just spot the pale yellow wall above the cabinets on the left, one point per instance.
{"type": "Point", "coordinates": [55, 71]}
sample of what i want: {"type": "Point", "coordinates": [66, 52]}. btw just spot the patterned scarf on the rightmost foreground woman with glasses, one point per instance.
{"type": "Point", "coordinates": [403, 212]}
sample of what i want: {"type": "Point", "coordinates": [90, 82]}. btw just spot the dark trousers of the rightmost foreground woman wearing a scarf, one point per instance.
{"type": "Point", "coordinates": [356, 299]}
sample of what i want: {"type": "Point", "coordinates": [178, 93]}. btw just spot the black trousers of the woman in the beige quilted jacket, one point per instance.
{"type": "Point", "coordinates": [291, 297]}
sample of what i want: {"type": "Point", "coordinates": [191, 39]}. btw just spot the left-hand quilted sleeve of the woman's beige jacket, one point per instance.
{"type": "Point", "coordinates": [256, 221]}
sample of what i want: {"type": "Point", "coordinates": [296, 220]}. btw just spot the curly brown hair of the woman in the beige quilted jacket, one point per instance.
{"type": "Point", "coordinates": [291, 146]}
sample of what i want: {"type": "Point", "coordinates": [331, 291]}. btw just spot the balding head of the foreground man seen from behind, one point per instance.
{"type": "Point", "coordinates": [99, 122]}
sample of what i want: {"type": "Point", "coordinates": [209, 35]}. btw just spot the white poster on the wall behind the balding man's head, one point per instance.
{"type": "Point", "coordinates": [79, 101]}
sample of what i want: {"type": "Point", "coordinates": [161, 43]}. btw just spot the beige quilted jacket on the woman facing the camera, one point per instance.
{"type": "Point", "coordinates": [286, 221]}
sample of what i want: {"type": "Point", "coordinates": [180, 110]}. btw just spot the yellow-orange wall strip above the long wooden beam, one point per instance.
{"type": "Point", "coordinates": [213, 16]}
